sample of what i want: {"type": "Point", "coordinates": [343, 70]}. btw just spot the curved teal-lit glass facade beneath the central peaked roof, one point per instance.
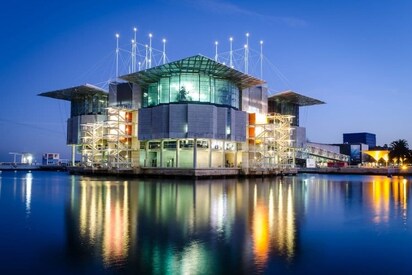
{"type": "Point", "coordinates": [191, 87]}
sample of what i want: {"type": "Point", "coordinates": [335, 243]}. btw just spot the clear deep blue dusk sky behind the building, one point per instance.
{"type": "Point", "coordinates": [354, 55]}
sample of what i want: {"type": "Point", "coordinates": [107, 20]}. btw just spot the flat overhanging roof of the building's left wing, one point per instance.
{"type": "Point", "coordinates": [77, 92]}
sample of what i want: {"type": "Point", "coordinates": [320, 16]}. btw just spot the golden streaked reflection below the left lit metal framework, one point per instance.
{"type": "Point", "coordinates": [104, 218]}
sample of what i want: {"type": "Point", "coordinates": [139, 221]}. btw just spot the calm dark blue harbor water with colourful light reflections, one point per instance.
{"type": "Point", "coordinates": [52, 222]}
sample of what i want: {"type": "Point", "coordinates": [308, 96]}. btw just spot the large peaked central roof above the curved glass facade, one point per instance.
{"type": "Point", "coordinates": [194, 64]}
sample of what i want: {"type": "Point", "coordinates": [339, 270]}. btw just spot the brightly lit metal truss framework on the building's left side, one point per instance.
{"type": "Point", "coordinates": [110, 144]}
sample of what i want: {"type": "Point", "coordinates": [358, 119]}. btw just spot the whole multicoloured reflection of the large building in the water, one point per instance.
{"type": "Point", "coordinates": [186, 227]}
